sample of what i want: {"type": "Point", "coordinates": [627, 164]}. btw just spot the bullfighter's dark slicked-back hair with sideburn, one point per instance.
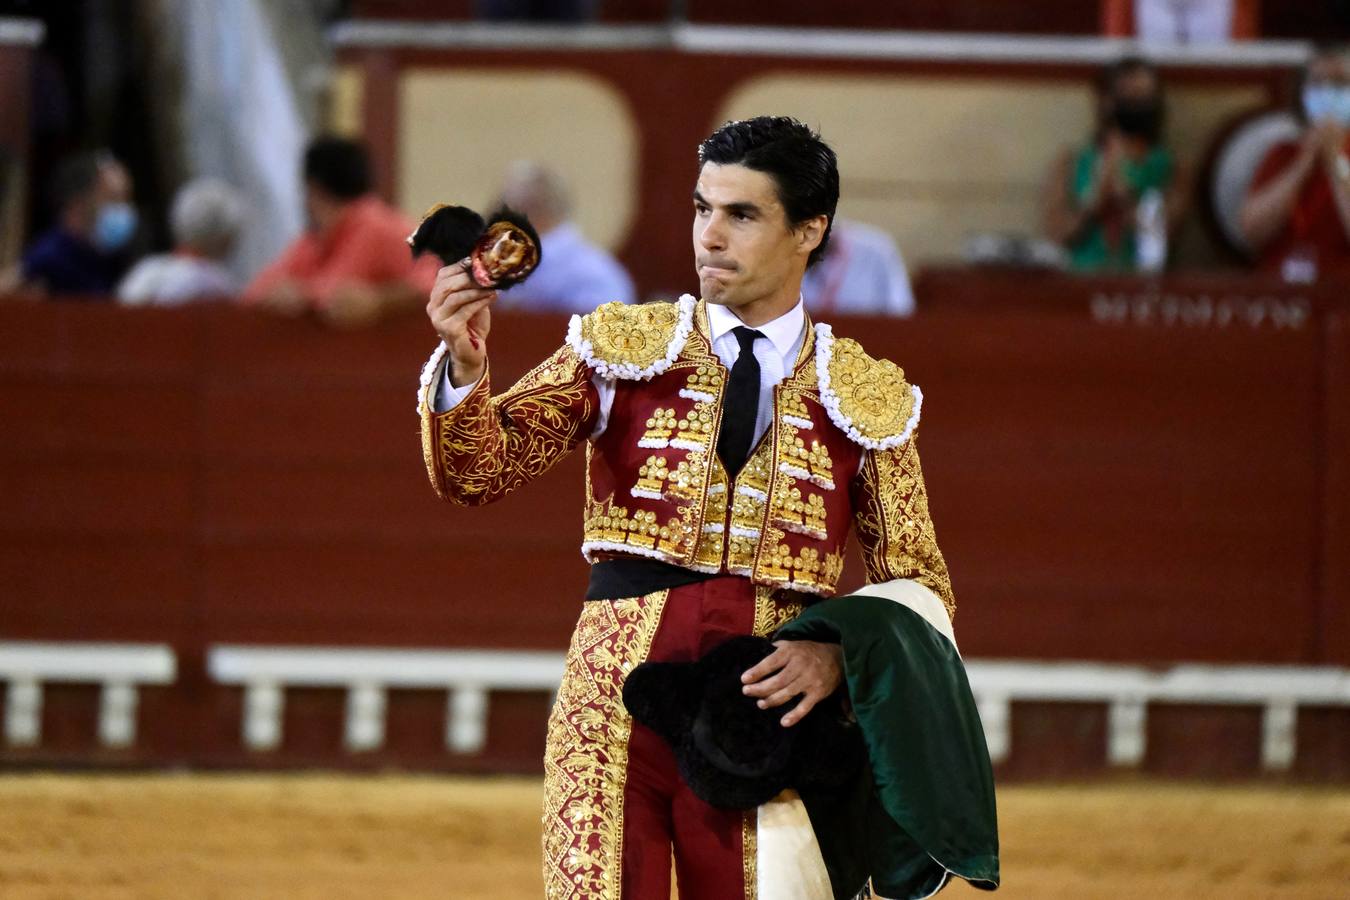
{"type": "Point", "coordinates": [803, 167]}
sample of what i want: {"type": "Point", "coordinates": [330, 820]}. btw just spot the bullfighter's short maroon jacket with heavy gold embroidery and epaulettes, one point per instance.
{"type": "Point", "coordinates": [840, 453]}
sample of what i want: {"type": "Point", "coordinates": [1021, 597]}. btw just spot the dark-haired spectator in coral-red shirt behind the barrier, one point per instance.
{"type": "Point", "coordinates": [353, 264]}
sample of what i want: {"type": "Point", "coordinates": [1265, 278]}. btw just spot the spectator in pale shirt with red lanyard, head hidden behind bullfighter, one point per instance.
{"type": "Point", "coordinates": [862, 273]}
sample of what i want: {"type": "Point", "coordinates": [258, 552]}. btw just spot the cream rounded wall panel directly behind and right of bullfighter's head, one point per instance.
{"type": "Point", "coordinates": [936, 159]}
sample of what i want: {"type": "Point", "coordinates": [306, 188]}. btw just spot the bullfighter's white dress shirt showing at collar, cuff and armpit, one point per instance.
{"type": "Point", "coordinates": [776, 353]}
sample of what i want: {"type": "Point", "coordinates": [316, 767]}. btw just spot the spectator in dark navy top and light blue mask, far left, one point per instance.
{"type": "Point", "coordinates": [84, 254]}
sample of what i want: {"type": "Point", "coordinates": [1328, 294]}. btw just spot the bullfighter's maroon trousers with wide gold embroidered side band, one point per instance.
{"type": "Point", "coordinates": [615, 806]}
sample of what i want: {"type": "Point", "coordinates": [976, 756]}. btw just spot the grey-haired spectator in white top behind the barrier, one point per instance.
{"type": "Point", "coordinates": [206, 219]}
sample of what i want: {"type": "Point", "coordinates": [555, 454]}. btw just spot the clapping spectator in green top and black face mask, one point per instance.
{"type": "Point", "coordinates": [1096, 195]}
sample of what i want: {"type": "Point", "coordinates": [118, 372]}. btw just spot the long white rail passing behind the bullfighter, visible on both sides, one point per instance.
{"type": "Point", "coordinates": [469, 677]}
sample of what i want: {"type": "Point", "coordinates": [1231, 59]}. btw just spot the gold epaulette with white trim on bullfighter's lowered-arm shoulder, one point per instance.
{"type": "Point", "coordinates": [867, 399]}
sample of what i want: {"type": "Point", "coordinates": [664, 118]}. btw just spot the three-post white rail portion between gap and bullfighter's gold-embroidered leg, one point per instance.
{"type": "Point", "coordinates": [368, 675]}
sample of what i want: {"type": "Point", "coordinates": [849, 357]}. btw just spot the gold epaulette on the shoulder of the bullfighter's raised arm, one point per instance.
{"type": "Point", "coordinates": [632, 342]}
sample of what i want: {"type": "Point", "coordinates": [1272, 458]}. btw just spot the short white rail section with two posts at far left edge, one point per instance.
{"type": "Point", "coordinates": [121, 669]}
